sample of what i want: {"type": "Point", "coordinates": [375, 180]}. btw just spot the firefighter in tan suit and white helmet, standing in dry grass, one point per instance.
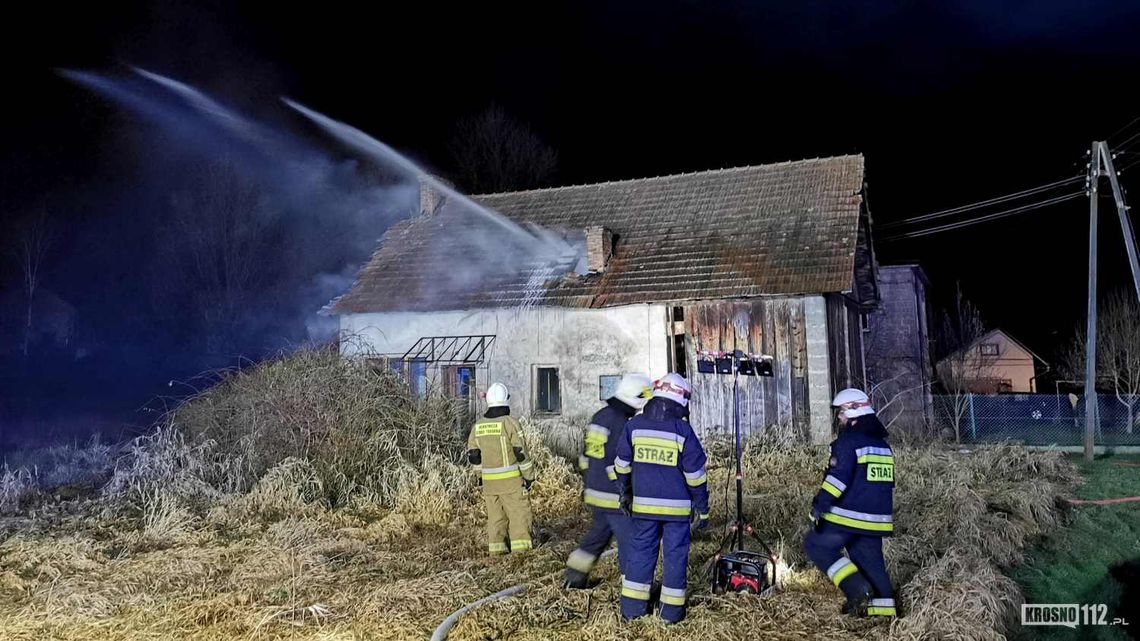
{"type": "Point", "coordinates": [506, 472]}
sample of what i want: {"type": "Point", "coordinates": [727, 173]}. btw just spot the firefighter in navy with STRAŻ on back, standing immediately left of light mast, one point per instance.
{"type": "Point", "coordinates": [662, 485]}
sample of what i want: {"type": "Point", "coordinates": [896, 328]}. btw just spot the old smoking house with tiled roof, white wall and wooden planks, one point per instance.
{"type": "Point", "coordinates": [640, 275]}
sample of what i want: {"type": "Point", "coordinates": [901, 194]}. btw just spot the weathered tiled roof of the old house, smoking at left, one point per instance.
{"type": "Point", "coordinates": [784, 229]}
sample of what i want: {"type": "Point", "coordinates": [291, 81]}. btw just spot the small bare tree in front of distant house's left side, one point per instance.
{"type": "Point", "coordinates": [962, 363]}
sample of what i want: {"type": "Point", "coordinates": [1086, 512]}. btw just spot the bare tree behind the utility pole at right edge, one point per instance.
{"type": "Point", "coordinates": [1118, 353]}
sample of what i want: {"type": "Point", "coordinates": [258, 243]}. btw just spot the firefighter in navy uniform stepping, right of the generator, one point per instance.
{"type": "Point", "coordinates": [853, 509]}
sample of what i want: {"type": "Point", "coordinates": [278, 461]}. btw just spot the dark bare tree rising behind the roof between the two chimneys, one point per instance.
{"type": "Point", "coordinates": [496, 153]}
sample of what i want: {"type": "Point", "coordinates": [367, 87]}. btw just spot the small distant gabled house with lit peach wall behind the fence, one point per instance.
{"type": "Point", "coordinates": [997, 363]}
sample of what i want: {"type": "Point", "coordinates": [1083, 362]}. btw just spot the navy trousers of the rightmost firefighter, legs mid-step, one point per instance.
{"type": "Point", "coordinates": [861, 569]}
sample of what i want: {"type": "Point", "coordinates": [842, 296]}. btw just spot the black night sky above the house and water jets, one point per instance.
{"type": "Point", "coordinates": [951, 103]}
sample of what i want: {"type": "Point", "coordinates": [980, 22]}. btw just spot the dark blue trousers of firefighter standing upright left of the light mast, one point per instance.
{"type": "Point", "coordinates": [647, 537]}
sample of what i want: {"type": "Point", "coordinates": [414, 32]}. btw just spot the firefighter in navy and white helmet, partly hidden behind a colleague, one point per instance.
{"type": "Point", "coordinates": [597, 464]}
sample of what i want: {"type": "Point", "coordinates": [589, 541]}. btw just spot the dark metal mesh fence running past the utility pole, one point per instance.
{"type": "Point", "coordinates": [1039, 419]}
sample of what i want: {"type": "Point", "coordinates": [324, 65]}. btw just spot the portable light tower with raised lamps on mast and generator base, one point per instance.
{"type": "Point", "coordinates": [740, 570]}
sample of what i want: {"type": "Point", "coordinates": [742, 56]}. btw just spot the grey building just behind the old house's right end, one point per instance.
{"type": "Point", "coordinates": [898, 344]}
